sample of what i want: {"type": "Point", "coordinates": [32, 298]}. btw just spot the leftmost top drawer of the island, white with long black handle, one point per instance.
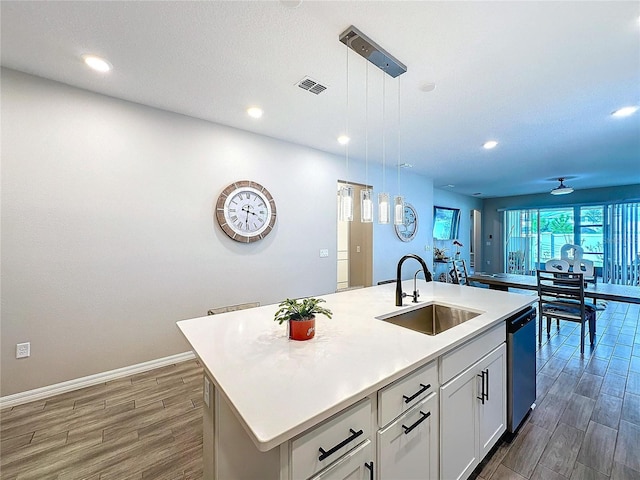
{"type": "Point", "coordinates": [334, 437]}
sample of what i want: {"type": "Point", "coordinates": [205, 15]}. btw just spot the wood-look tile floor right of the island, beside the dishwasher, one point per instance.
{"type": "Point", "coordinates": [587, 421]}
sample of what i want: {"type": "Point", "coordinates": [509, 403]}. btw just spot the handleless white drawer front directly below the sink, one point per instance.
{"type": "Point", "coordinates": [465, 355]}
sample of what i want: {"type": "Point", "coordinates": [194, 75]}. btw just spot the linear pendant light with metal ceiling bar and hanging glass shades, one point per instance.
{"type": "Point", "coordinates": [364, 46]}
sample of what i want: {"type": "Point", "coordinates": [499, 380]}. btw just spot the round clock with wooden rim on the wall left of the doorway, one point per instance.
{"type": "Point", "coordinates": [246, 211]}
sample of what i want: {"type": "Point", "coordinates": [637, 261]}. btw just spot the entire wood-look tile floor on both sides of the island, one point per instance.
{"type": "Point", "coordinates": [149, 426]}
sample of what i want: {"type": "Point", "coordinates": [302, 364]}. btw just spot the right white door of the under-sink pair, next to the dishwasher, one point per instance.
{"type": "Point", "coordinates": [492, 414]}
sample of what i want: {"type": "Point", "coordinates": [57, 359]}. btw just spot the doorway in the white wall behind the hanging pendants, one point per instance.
{"type": "Point", "coordinates": [355, 247]}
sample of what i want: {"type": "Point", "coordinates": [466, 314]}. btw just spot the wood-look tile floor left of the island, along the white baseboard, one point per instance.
{"type": "Point", "coordinates": [146, 426]}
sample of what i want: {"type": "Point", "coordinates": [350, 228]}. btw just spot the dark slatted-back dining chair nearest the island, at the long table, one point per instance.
{"type": "Point", "coordinates": [561, 296]}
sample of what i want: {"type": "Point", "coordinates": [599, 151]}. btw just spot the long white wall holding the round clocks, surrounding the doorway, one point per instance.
{"type": "Point", "coordinates": [108, 235]}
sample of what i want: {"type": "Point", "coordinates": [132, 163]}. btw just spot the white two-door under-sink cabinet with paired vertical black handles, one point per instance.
{"type": "Point", "coordinates": [473, 413]}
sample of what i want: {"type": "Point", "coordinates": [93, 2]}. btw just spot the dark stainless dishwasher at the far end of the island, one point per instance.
{"type": "Point", "coordinates": [521, 367]}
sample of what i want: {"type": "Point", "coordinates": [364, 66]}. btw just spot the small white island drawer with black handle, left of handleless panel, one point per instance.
{"type": "Point", "coordinates": [406, 392]}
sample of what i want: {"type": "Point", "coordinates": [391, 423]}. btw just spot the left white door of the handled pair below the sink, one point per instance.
{"type": "Point", "coordinates": [458, 425]}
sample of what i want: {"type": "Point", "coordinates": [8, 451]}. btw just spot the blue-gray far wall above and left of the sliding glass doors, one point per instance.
{"type": "Point", "coordinates": [492, 223]}
